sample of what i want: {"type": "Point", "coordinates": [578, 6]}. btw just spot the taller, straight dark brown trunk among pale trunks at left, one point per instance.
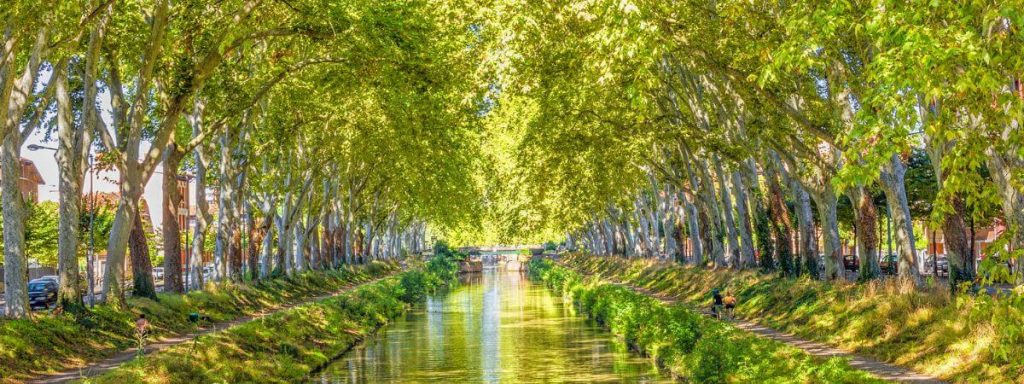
{"type": "Point", "coordinates": [172, 229]}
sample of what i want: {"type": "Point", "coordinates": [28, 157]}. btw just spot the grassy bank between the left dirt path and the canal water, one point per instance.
{"type": "Point", "coordinates": [287, 347]}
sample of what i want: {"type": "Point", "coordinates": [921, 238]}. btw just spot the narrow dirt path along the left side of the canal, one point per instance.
{"type": "Point", "coordinates": [102, 367]}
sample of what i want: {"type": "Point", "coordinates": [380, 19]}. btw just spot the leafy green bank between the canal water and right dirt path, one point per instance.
{"type": "Point", "coordinates": [690, 345]}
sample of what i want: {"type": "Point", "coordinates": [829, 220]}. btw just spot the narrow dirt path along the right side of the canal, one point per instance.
{"type": "Point", "coordinates": [879, 369]}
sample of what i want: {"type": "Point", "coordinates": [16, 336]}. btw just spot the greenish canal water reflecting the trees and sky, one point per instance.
{"type": "Point", "coordinates": [498, 327]}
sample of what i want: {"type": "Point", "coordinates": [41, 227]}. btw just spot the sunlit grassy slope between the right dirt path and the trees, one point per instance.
{"type": "Point", "coordinates": [963, 338]}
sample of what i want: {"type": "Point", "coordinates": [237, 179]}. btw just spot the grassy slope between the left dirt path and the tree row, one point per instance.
{"type": "Point", "coordinates": [61, 343]}
